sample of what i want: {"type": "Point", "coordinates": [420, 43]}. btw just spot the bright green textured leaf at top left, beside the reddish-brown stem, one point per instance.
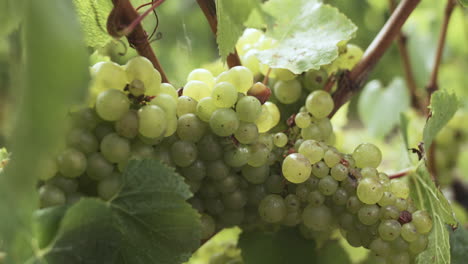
{"type": "Point", "coordinates": [93, 18]}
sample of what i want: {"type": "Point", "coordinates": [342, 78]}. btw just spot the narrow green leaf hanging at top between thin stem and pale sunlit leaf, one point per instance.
{"type": "Point", "coordinates": [231, 15]}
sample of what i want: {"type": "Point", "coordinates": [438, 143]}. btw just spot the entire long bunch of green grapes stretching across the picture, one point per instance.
{"type": "Point", "coordinates": [220, 139]}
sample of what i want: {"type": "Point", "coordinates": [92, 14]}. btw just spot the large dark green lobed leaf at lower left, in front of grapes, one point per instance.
{"type": "Point", "coordinates": [147, 222]}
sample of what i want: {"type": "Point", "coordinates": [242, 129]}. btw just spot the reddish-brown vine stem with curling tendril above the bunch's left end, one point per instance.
{"type": "Point", "coordinates": [125, 17]}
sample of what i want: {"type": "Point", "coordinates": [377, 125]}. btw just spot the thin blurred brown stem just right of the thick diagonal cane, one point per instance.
{"type": "Point", "coordinates": [417, 100]}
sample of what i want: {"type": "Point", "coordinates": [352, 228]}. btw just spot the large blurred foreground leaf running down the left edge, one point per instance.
{"type": "Point", "coordinates": [54, 76]}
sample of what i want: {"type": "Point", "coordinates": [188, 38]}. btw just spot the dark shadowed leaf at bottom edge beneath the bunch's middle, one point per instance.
{"type": "Point", "coordinates": [281, 247]}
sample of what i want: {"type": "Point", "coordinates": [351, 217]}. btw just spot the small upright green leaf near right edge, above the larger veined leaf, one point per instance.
{"type": "Point", "coordinates": [443, 107]}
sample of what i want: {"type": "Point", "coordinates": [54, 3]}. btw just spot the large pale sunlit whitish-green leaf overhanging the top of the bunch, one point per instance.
{"type": "Point", "coordinates": [307, 31]}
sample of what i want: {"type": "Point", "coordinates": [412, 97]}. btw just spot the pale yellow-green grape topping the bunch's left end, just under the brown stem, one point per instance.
{"type": "Point", "coordinates": [140, 68]}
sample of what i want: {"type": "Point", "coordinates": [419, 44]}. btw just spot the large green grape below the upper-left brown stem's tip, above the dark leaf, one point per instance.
{"type": "Point", "coordinates": [153, 121]}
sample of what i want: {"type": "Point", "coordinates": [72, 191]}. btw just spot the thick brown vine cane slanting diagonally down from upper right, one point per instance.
{"type": "Point", "coordinates": [351, 82]}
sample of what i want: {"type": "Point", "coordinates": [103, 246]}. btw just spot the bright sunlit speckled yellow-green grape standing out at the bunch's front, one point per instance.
{"type": "Point", "coordinates": [296, 168]}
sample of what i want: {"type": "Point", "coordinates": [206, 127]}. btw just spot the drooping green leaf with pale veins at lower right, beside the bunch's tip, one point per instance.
{"type": "Point", "coordinates": [427, 197]}
